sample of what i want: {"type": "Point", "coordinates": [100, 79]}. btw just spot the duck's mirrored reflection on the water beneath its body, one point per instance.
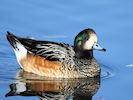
{"type": "Point", "coordinates": [56, 89]}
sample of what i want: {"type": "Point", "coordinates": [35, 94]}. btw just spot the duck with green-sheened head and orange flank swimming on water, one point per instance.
{"type": "Point", "coordinates": [58, 60]}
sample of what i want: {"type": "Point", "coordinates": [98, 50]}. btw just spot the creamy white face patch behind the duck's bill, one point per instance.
{"type": "Point", "coordinates": [89, 43]}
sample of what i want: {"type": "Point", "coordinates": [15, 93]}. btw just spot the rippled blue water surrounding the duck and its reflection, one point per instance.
{"type": "Point", "coordinates": [60, 21]}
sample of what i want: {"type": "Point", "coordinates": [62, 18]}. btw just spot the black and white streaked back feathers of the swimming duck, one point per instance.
{"type": "Point", "coordinates": [51, 51]}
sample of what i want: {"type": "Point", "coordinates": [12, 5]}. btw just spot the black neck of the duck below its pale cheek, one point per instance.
{"type": "Point", "coordinates": [84, 54]}
